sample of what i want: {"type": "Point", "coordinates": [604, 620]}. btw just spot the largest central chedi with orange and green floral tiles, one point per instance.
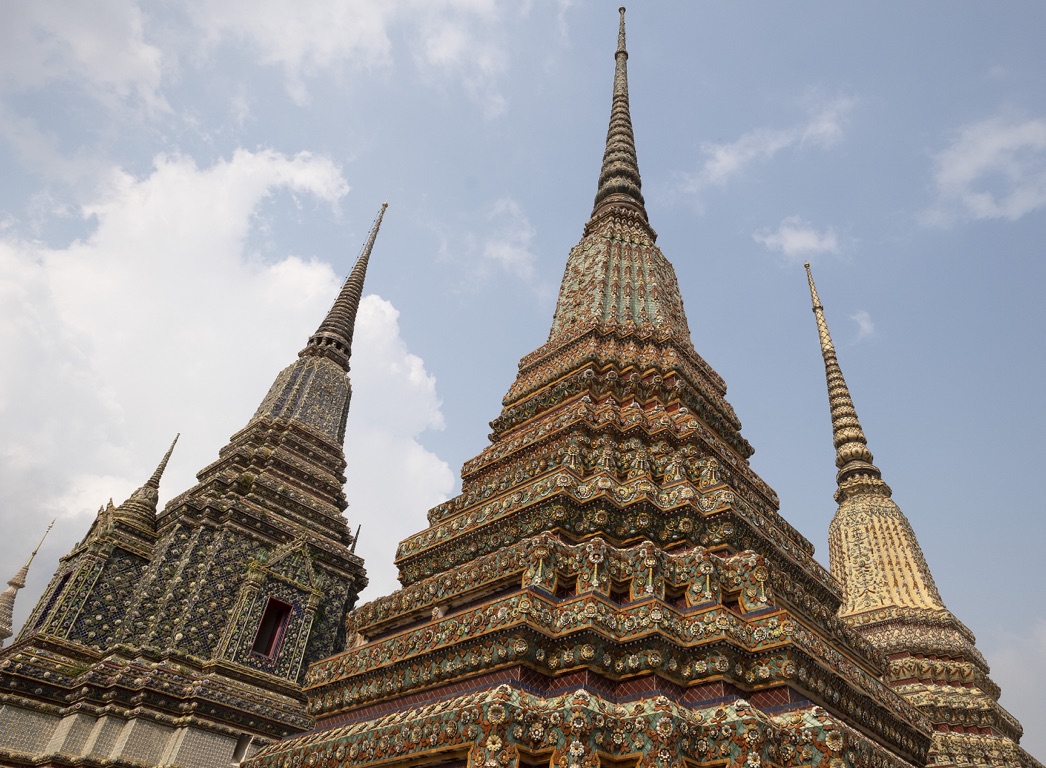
{"type": "Point", "coordinates": [615, 584]}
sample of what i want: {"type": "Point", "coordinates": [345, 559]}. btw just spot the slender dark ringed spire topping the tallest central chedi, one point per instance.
{"type": "Point", "coordinates": [620, 183]}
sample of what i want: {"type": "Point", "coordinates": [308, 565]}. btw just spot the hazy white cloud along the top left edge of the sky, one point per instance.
{"type": "Point", "coordinates": [103, 46]}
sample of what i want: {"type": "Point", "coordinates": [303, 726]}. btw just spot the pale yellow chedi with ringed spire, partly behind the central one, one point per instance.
{"type": "Point", "coordinates": [890, 598]}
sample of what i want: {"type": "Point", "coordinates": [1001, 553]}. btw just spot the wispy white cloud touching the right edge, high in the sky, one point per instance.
{"type": "Point", "coordinates": [995, 169]}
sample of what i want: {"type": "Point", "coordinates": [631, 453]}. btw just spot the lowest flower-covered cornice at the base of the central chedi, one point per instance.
{"type": "Point", "coordinates": [493, 727]}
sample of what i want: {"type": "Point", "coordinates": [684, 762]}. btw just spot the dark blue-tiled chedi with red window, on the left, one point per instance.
{"type": "Point", "coordinates": [181, 638]}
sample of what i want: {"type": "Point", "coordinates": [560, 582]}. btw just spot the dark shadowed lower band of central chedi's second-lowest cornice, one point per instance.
{"type": "Point", "coordinates": [882, 712]}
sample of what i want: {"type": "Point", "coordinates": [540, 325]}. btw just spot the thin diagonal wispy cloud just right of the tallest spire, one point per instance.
{"type": "Point", "coordinates": [724, 162]}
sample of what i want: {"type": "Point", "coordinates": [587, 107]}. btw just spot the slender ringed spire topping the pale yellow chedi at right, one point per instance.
{"type": "Point", "coordinates": [853, 457]}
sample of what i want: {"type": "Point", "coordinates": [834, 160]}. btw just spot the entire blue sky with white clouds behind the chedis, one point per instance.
{"type": "Point", "coordinates": [185, 185]}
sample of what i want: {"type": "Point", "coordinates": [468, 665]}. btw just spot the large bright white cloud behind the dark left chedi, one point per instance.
{"type": "Point", "coordinates": [162, 321]}
